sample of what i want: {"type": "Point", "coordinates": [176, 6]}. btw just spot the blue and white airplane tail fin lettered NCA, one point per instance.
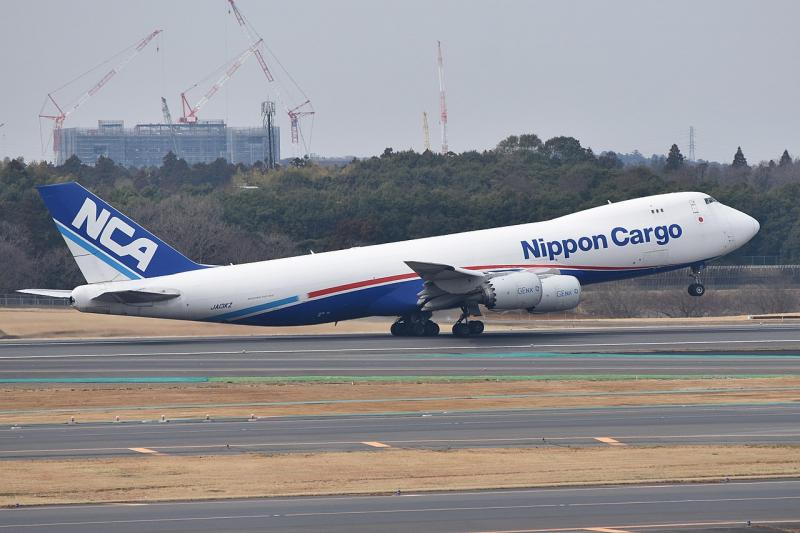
{"type": "Point", "coordinates": [107, 245]}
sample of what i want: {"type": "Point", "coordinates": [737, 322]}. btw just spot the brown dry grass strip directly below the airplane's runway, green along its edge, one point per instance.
{"type": "Point", "coordinates": [56, 403]}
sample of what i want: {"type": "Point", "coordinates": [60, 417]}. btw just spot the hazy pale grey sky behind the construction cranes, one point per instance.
{"type": "Point", "coordinates": [619, 75]}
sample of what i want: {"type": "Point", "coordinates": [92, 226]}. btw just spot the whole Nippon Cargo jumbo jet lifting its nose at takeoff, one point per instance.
{"type": "Point", "coordinates": [539, 267]}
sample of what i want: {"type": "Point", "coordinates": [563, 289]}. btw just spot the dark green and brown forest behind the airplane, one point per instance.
{"type": "Point", "coordinates": [219, 213]}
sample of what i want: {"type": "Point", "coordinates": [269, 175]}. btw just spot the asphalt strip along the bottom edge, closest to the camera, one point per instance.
{"type": "Point", "coordinates": [704, 507]}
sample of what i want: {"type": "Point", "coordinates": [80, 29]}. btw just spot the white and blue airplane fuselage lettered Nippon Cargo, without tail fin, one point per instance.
{"type": "Point", "coordinates": [609, 242]}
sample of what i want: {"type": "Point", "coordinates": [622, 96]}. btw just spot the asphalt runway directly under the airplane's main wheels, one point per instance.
{"type": "Point", "coordinates": [758, 349]}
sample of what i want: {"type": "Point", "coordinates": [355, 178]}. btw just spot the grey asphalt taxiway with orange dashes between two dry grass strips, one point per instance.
{"type": "Point", "coordinates": [701, 424]}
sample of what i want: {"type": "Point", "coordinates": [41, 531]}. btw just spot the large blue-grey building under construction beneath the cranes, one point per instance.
{"type": "Point", "coordinates": [145, 145]}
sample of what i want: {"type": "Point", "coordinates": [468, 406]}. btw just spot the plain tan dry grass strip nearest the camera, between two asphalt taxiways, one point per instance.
{"type": "Point", "coordinates": [149, 478]}
